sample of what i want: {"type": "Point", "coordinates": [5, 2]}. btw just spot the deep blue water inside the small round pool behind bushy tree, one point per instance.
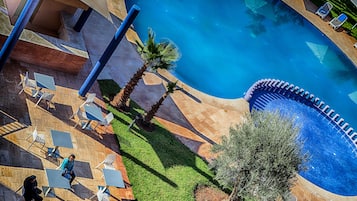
{"type": "Point", "coordinates": [332, 165]}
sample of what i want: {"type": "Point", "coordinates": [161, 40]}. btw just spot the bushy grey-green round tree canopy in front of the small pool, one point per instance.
{"type": "Point", "coordinates": [260, 158]}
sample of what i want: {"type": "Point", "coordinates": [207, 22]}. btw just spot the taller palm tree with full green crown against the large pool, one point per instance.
{"type": "Point", "coordinates": [156, 56]}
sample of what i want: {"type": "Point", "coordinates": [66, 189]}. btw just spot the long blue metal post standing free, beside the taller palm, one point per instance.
{"type": "Point", "coordinates": [134, 10]}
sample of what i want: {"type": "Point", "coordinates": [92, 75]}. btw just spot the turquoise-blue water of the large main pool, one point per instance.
{"type": "Point", "coordinates": [227, 46]}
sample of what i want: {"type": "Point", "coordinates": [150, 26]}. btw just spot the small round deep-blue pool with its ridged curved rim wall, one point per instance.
{"type": "Point", "coordinates": [333, 163]}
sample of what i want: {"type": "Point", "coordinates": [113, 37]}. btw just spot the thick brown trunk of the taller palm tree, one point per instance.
{"type": "Point", "coordinates": [120, 99]}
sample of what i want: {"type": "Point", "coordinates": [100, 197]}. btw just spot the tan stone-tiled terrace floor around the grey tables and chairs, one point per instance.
{"type": "Point", "coordinates": [19, 117]}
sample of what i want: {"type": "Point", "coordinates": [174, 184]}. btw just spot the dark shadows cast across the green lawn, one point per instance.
{"type": "Point", "coordinates": [169, 149]}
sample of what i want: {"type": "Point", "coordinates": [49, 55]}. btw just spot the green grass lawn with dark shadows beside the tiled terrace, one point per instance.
{"type": "Point", "coordinates": [159, 166]}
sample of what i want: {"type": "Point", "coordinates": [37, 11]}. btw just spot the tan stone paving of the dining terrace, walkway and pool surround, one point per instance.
{"type": "Point", "coordinates": [198, 120]}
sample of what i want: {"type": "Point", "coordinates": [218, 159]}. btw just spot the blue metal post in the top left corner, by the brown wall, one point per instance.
{"type": "Point", "coordinates": [20, 24]}
